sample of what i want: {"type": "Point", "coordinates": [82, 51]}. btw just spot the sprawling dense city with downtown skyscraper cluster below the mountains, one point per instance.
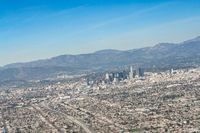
{"type": "Point", "coordinates": [116, 102]}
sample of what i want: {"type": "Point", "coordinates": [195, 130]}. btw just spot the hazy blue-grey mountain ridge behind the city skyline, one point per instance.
{"type": "Point", "coordinates": [185, 54]}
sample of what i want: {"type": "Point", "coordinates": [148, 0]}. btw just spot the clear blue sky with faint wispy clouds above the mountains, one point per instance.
{"type": "Point", "coordinates": [39, 29]}
